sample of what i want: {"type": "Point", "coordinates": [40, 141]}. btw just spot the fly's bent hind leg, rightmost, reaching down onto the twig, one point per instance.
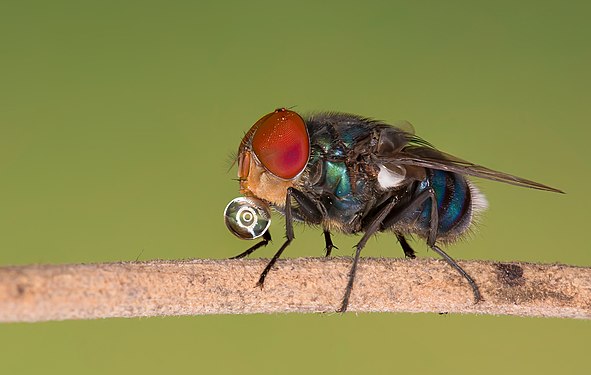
{"type": "Point", "coordinates": [434, 223]}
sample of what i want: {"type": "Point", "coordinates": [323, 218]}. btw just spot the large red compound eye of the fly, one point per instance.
{"type": "Point", "coordinates": [281, 143]}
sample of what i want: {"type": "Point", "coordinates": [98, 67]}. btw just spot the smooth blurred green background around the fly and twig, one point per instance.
{"type": "Point", "coordinates": [118, 119]}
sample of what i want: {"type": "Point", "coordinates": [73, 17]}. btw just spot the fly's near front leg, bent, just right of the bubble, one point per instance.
{"type": "Point", "coordinates": [310, 213]}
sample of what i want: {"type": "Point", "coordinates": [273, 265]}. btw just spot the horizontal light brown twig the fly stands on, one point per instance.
{"type": "Point", "coordinates": [196, 287]}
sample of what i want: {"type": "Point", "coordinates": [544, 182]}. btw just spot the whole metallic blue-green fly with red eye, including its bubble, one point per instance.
{"type": "Point", "coordinates": [352, 174]}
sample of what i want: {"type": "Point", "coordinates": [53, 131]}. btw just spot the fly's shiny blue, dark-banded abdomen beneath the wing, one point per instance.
{"type": "Point", "coordinates": [454, 202]}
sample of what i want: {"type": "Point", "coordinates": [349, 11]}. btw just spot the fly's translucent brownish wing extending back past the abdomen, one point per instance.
{"type": "Point", "coordinates": [419, 153]}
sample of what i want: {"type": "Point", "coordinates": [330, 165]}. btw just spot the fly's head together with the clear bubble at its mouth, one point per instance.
{"type": "Point", "coordinates": [272, 156]}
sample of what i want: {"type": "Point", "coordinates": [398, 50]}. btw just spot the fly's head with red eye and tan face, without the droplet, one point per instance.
{"type": "Point", "coordinates": [272, 155]}
